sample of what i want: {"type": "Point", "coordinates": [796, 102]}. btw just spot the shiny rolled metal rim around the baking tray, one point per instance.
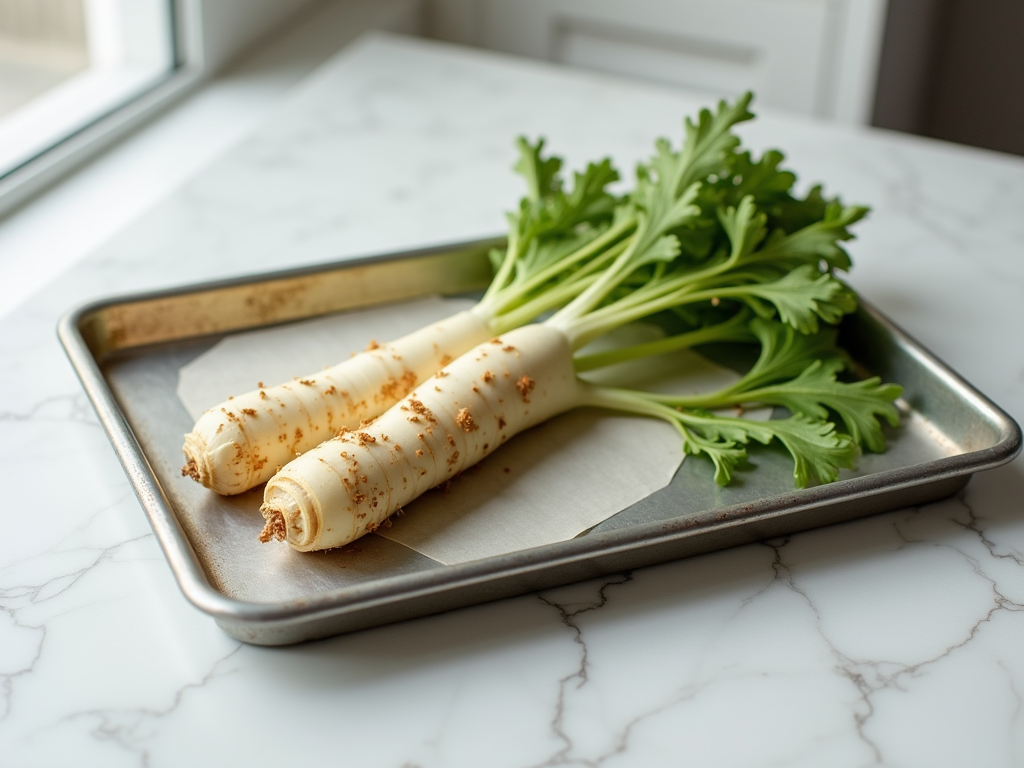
{"type": "Point", "coordinates": [198, 590]}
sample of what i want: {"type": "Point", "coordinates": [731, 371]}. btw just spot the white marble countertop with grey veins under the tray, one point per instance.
{"type": "Point", "coordinates": [894, 641]}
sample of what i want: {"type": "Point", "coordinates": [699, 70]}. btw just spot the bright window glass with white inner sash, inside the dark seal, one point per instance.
{"type": "Point", "coordinates": [65, 64]}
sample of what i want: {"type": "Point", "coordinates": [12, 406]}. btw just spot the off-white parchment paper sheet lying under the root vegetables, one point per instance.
{"type": "Point", "coordinates": [548, 485]}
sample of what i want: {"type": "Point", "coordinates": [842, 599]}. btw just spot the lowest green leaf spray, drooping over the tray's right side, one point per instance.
{"type": "Point", "coordinates": [795, 371]}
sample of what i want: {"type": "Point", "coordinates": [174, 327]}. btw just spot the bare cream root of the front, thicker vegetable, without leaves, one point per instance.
{"type": "Point", "coordinates": [348, 487]}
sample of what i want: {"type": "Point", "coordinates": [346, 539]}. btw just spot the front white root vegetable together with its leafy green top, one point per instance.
{"type": "Point", "coordinates": [649, 262]}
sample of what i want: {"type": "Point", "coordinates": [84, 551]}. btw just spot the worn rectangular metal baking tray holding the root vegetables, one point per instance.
{"type": "Point", "coordinates": [127, 353]}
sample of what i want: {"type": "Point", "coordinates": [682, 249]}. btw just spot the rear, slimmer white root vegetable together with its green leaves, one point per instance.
{"type": "Point", "coordinates": [559, 240]}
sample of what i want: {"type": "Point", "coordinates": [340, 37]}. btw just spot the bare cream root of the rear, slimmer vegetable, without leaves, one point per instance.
{"type": "Point", "coordinates": [243, 442]}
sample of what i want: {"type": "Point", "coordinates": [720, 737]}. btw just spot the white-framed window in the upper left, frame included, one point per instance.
{"type": "Point", "coordinates": [77, 75]}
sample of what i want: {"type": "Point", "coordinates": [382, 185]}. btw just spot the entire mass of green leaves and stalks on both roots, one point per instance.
{"type": "Point", "coordinates": [716, 245]}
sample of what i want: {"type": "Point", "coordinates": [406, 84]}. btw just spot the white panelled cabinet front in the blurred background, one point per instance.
{"type": "Point", "coordinates": [814, 57]}
